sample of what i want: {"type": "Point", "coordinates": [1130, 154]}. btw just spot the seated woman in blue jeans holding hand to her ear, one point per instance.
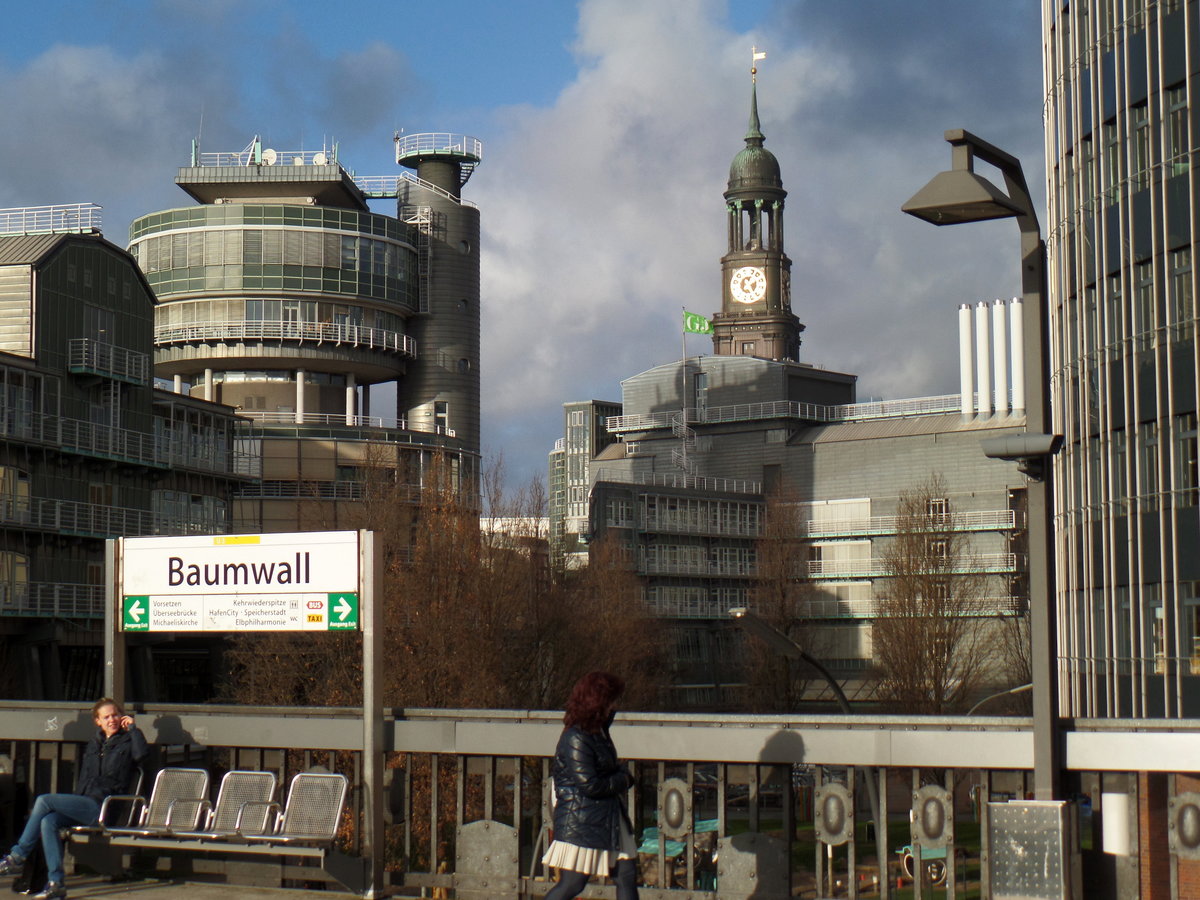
{"type": "Point", "coordinates": [106, 770]}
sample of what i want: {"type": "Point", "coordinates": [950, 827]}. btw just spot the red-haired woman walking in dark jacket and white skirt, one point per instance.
{"type": "Point", "coordinates": [592, 832]}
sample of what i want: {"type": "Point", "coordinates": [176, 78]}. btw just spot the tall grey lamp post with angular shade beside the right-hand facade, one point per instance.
{"type": "Point", "coordinates": [963, 196]}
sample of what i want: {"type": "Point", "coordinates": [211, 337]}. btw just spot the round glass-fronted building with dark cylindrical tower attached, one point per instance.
{"type": "Point", "coordinates": [284, 296]}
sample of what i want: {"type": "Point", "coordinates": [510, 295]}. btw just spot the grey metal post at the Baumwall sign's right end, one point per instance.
{"type": "Point", "coordinates": [370, 573]}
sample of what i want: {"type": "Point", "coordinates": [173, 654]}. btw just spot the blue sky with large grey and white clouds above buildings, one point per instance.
{"type": "Point", "coordinates": [608, 127]}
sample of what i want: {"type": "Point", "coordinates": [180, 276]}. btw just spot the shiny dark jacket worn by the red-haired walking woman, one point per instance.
{"type": "Point", "coordinates": [590, 787]}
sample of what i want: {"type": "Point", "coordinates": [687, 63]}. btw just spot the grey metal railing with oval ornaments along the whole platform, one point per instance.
{"type": "Point", "coordinates": [724, 806]}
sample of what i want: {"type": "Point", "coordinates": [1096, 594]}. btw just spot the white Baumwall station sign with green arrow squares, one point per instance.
{"type": "Point", "coordinates": [307, 581]}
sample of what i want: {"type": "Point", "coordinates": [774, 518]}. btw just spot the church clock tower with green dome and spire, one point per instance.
{"type": "Point", "coordinates": [757, 296]}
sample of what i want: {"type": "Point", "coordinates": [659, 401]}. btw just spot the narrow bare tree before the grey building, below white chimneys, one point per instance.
{"type": "Point", "coordinates": [928, 633]}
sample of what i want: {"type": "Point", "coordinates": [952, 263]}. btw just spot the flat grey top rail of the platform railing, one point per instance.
{"type": "Point", "coordinates": [944, 741]}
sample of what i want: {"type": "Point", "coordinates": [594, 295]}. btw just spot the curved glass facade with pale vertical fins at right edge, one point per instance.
{"type": "Point", "coordinates": [1121, 134]}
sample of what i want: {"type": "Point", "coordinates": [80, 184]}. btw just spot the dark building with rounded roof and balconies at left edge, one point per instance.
{"type": "Point", "coordinates": [89, 449]}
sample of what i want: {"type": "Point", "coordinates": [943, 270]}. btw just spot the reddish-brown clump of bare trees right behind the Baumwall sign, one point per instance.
{"type": "Point", "coordinates": [472, 617]}
